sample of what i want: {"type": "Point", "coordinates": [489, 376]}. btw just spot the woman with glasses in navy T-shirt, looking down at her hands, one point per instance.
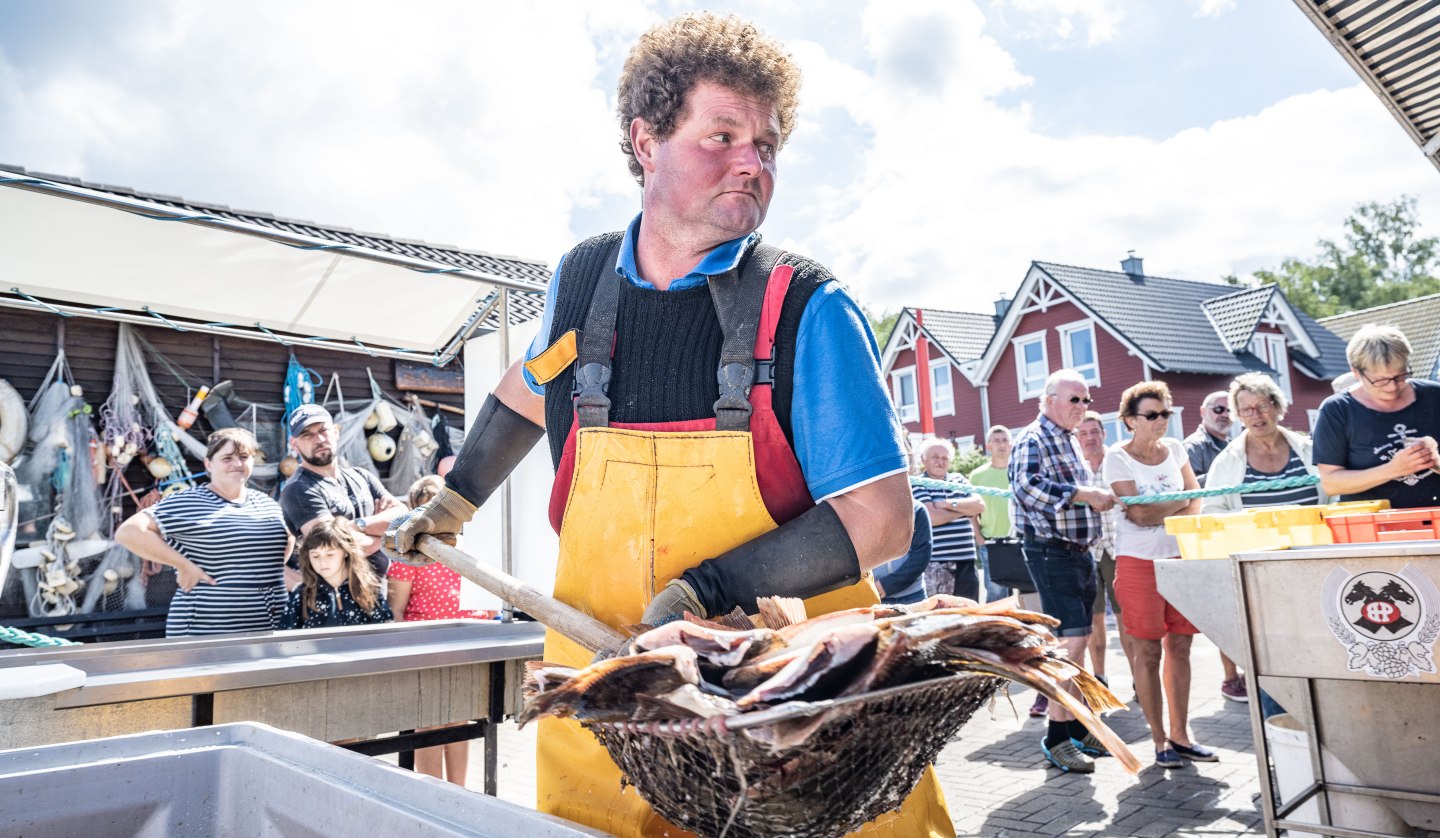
{"type": "Point", "coordinates": [1377, 441]}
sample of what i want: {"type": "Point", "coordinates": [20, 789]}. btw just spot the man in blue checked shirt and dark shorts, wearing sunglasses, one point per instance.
{"type": "Point", "coordinates": [1059, 521]}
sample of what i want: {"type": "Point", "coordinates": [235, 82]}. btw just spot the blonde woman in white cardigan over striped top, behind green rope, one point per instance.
{"type": "Point", "coordinates": [1266, 450]}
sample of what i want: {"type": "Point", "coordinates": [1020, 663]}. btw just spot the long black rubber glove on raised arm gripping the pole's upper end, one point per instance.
{"type": "Point", "coordinates": [493, 449]}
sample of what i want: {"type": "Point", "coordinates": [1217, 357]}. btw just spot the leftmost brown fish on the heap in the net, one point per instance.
{"type": "Point", "coordinates": [607, 690]}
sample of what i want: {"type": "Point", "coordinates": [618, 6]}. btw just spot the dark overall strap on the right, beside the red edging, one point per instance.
{"type": "Point", "coordinates": [739, 297]}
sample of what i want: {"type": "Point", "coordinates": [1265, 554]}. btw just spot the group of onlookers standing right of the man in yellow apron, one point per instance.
{"type": "Point", "coordinates": [1091, 555]}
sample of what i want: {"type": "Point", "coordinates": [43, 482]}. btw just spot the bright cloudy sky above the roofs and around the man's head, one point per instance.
{"type": "Point", "coordinates": [942, 146]}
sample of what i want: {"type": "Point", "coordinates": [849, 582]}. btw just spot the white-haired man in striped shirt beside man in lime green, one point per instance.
{"type": "Point", "coordinates": [953, 522]}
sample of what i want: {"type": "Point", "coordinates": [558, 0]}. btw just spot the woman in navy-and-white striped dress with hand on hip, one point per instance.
{"type": "Point", "coordinates": [227, 544]}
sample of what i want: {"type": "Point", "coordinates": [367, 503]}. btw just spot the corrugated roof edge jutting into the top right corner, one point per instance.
{"type": "Point", "coordinates": [1392, 44]}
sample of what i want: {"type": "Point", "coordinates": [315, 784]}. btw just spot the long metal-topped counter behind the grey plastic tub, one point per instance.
{"type": "Point", "coordinates": [328, 685]}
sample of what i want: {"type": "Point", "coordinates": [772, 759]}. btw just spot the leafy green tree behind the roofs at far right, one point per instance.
{"type": "Point", "coordinates": [1382, 260]}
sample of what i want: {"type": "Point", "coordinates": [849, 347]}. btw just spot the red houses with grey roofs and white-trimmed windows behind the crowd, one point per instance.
{"type": "Point", "coordinates": [1117, 329]}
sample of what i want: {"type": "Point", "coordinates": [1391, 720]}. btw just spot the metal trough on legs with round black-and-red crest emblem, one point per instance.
{"type": "Point", "coordinates": [1344, 639]}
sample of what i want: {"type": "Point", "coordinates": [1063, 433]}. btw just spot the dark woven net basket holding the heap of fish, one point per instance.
{"type": "Point", "coordinates": [722, 778]}
